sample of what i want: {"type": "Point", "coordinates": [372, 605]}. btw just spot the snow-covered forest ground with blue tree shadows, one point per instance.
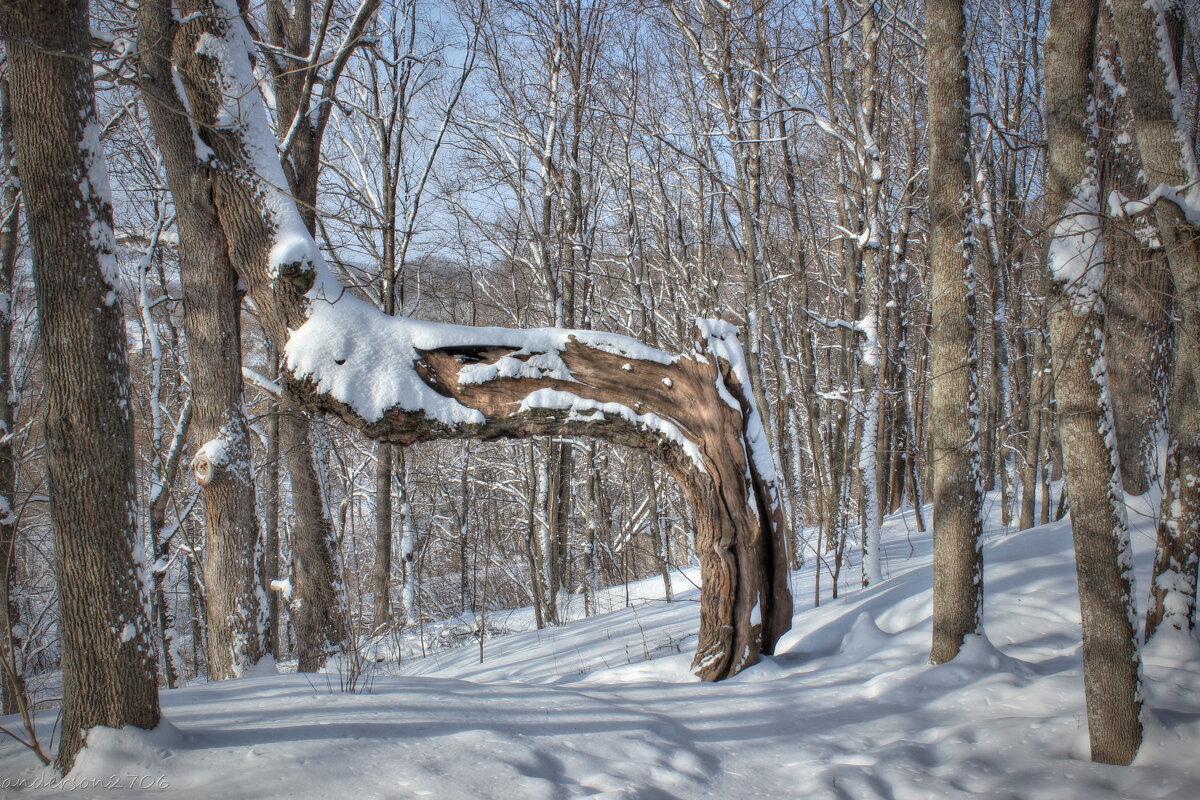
{"type": "Point", "coordinates": [607, 708]}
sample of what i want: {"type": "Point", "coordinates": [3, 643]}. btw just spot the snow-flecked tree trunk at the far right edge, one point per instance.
{"type": "Point", "coordinates": [1149, 38]}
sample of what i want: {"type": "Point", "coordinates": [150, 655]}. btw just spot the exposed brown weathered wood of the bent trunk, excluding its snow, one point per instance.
{"type": "Point", "coordinates": [739, 520]}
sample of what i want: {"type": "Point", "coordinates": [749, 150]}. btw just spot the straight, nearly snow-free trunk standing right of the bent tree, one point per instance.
{"type": "Point", "coordinates": [955, 407]}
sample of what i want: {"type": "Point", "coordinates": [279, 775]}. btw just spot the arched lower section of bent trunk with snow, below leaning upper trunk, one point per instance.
{"type": "Point", "coordinates": [693, 412]}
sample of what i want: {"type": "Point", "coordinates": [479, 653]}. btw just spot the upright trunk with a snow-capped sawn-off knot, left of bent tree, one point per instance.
{"type": "Point", "coordinates": [213, 327]}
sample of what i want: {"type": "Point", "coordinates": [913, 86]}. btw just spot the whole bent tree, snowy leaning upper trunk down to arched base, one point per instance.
{"type": "Point", "coordinates": [403, 381]}
